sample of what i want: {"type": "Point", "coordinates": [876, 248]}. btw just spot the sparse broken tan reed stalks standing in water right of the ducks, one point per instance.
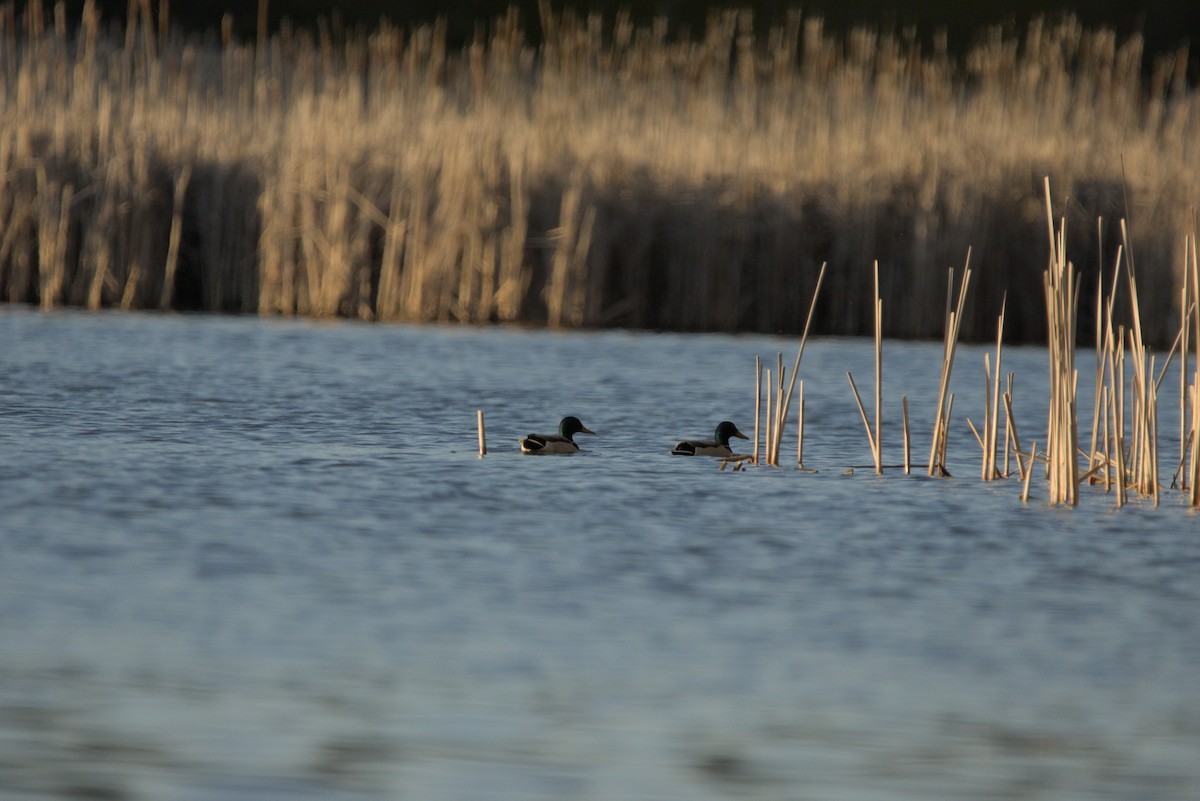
{"type": "Point", "coordinates": [1124, 455]}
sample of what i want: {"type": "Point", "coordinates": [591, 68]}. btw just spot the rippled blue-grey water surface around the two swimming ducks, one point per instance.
{"type": "Point", "coordinates": [254, 559]}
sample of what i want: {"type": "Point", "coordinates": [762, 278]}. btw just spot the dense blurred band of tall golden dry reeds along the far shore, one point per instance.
{"type": "Point", "coordinates": [611, 177]}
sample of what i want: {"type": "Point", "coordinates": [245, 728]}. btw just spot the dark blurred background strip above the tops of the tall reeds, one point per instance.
{"type": "Point", "coordinates": [1165, 25]}
